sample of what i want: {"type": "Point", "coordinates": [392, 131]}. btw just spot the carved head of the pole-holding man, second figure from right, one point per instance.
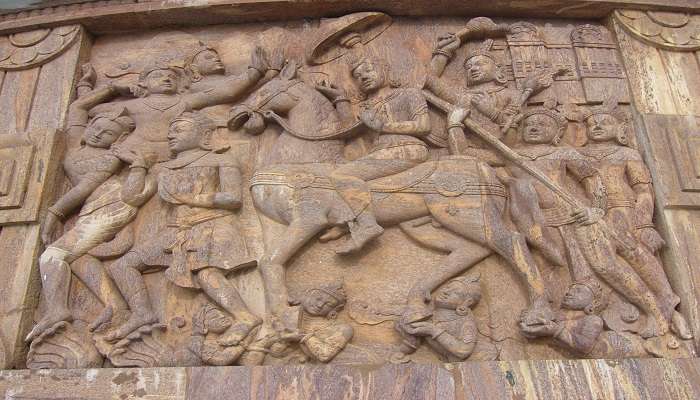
{"type": "Point", "coordinates": [542, 126]}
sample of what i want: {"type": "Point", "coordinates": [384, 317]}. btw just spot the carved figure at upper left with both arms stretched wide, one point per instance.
{"type": "Point", "coordinates": [163, 91]}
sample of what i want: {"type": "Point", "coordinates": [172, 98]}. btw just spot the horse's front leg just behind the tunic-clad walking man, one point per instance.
{"type": "Point", "coordinates": [297, 234]}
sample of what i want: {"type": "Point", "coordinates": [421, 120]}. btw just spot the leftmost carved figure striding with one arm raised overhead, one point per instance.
{"type": "Point", "coordinates": [107, 203]}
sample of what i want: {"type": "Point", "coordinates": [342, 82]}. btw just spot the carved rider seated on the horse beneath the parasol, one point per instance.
{"type": "Point", "coordinates": [400, 118]}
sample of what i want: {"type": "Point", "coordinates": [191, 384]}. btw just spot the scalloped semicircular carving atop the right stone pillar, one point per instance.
{"type": "Point", "coordinates": [666, 30]}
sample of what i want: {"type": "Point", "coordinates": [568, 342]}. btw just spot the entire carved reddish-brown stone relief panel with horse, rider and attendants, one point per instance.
{"type": "Point", "coordinates": [357, 190]}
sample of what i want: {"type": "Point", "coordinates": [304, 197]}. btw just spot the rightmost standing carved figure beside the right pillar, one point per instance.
{"type": "Point", "coordinates": [630, 205]}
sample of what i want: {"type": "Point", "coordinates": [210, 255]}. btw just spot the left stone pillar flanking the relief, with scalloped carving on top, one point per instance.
{"type": "Point", "coordinates": [37, 72]}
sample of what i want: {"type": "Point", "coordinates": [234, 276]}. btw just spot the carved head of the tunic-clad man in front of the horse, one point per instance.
{"type": "Point", "coordinates": [190, 130]}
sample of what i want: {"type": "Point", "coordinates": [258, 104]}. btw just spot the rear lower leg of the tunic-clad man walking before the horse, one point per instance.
{"type": "Point", "coordinates": [222, 291]}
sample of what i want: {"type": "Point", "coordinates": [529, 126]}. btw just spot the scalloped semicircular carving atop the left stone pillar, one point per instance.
{"type": "Point", "coordinates": [31, 49]}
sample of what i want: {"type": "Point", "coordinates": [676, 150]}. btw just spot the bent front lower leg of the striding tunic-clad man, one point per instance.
{"type": "Point", "coordinates": [126, 273]}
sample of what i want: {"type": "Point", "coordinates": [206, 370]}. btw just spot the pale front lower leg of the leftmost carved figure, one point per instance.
{"type": "Point", "coordinates": [55, 285]}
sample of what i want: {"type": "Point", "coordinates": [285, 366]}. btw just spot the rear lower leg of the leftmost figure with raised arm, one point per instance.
{"type": "Point", "coordinates": [91, 272]}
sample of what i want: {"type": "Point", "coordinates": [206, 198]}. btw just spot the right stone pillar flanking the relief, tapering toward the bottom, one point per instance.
{"type": "Point", "coordinates": [661, 52]}
